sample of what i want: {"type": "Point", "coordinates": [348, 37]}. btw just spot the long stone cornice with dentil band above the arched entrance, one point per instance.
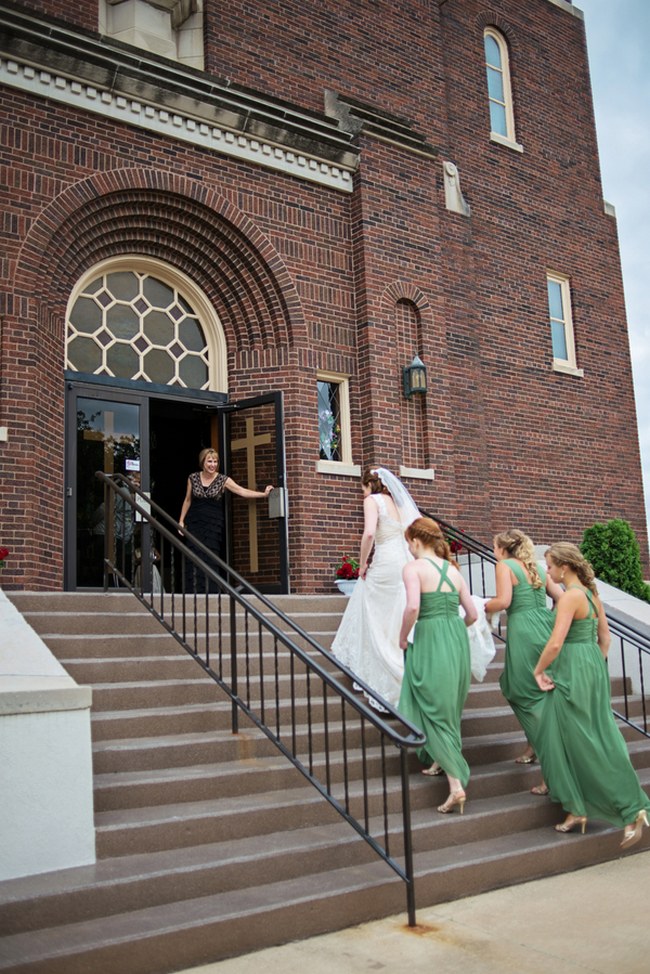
{"type": "Point", "coordinates": [82, 70]}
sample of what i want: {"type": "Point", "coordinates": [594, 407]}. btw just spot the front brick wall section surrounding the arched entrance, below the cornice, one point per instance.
{"type": "Point", "coordinates": [102, 196]}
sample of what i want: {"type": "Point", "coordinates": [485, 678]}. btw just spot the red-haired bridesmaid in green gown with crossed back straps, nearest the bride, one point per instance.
{"type": "Point", "coordinates": [437, 664]}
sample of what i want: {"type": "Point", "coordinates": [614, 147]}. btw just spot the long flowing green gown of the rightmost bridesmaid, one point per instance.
{"type": "Point", "coordinates": [583, 753]}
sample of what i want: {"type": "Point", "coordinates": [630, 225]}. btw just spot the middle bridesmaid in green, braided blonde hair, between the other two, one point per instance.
{"type": "Point", "coordinates": [522, 588]}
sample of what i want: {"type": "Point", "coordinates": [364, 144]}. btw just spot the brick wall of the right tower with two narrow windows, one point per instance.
{"type": "Point", "coordinates": [563, 451]}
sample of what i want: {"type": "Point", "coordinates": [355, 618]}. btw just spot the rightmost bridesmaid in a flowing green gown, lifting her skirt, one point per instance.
{"type": "Point", "coordinates": [583, 753]}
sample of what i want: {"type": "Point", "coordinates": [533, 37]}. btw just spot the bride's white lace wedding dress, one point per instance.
{"type": "Point", "coordinates": [367, 641]}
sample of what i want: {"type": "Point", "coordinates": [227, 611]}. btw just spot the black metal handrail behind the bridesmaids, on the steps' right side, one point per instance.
{"type": "Point", "coordinates": [629, 655]}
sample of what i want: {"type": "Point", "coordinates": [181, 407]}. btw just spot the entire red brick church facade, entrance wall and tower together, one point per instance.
{"type": "Point", "coordinates": [304, 278]}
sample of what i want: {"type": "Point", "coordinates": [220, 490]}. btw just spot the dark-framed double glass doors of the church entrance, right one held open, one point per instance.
{"type": "Point", "coordinates": [155, 441]}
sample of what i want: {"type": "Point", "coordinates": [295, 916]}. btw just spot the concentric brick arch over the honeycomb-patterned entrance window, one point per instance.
{"type": "Point", "coordinates": [176, 220]}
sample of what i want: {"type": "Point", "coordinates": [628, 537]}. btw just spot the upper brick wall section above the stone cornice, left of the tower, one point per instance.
{"type": "Point", "coordinates": [377, 51]}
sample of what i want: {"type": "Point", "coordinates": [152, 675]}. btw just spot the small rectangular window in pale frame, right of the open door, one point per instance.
{"type": "Point", "coordinates": [335, 448]}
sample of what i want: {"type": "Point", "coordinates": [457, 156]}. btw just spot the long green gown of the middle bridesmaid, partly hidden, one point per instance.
{"type": "Point", "coordinates": [530, 623]}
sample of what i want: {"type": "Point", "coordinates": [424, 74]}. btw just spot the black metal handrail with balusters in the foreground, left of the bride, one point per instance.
{"type": "Point", "coordinates": [272, 700]}
